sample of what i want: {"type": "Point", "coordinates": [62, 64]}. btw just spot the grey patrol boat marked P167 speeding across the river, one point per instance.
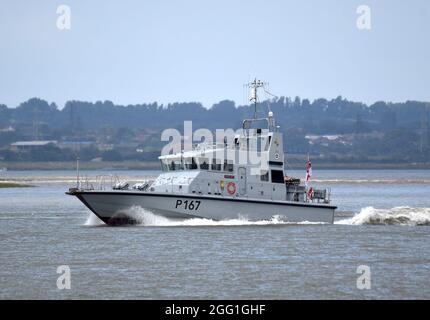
{"type": "Point", "coordinates": [205, 183]}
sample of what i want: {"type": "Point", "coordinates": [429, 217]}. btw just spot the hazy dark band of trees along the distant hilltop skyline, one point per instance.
{"type": "Point", "coordinates": [336, 116]}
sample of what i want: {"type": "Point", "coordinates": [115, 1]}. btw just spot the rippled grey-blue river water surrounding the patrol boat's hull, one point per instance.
{"type": "Point", "coordinates": [382, 225]}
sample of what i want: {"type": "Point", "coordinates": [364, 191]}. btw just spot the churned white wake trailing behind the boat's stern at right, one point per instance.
{"type": "Point", "coordinates": [407, 216]}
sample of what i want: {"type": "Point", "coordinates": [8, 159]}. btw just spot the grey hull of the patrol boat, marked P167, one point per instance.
{"type": "Point", "coordinates": [114, 207]}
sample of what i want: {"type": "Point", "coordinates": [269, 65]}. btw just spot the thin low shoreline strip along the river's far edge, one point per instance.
{"type": "Point", "coordinates": [155, 165]}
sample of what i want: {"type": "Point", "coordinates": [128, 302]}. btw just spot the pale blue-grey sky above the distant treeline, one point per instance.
{"type": "Point", "coordinates": [165, 51]}
